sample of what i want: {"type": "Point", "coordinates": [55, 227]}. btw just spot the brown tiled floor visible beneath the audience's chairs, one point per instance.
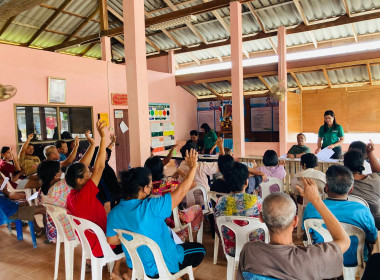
{"type": "Point", "coordinates": [18, 259]}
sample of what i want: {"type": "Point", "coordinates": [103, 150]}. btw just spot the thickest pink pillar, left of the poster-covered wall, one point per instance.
{"type": "Point", "coordinates": [137, 81]}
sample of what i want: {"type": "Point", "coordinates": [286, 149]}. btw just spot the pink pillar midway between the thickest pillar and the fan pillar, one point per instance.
{"type": "Point", "coordinates": [237, 80]}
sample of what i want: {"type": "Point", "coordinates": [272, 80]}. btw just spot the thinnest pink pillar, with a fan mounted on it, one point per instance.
{"type": "Point", "coordinates": [282, 77]}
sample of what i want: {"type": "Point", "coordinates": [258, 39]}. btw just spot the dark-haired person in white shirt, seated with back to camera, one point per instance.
{"type": "Point", "coordinates": [309, 162]}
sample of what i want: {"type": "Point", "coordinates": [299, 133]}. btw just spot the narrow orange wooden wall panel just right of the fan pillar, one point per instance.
{"type": "Point", "coordinates": [294, 115]}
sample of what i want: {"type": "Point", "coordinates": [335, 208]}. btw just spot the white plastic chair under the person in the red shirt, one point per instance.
{"type": "Point", "coordinates": [109, 257]}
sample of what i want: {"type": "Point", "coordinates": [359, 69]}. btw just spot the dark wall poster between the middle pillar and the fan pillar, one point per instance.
{"type": "Point", "coordinates": [264, 114]}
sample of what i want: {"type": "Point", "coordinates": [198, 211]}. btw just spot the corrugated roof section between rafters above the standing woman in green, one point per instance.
{"type": "Point", "coordinates": [348, 75]}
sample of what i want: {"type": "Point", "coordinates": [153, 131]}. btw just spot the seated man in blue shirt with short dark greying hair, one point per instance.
{"type": "Point", "coordinates": [339, 181]}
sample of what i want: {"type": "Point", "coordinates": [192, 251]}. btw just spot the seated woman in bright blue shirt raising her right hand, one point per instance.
{"type": "Point", "coordinates": [139, 213]}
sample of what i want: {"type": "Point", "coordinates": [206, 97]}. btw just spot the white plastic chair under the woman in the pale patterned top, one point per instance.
{"type": "Point", "coordinates": [58, 214]}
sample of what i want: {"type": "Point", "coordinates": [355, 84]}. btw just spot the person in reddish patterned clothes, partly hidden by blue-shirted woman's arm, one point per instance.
{"type": "Point", "coordinates": [162, 185]}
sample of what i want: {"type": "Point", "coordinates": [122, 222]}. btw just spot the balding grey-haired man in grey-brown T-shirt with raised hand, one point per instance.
{"type": "Point", "coordinates": [281, 259]}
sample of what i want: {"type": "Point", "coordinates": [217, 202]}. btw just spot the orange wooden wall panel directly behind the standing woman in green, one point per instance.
{"type": "Point", "coordinates": [316, 102]}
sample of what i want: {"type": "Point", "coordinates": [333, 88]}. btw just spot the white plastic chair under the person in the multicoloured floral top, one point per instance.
{"type": "Point", "coordinates": [241, 237]}
